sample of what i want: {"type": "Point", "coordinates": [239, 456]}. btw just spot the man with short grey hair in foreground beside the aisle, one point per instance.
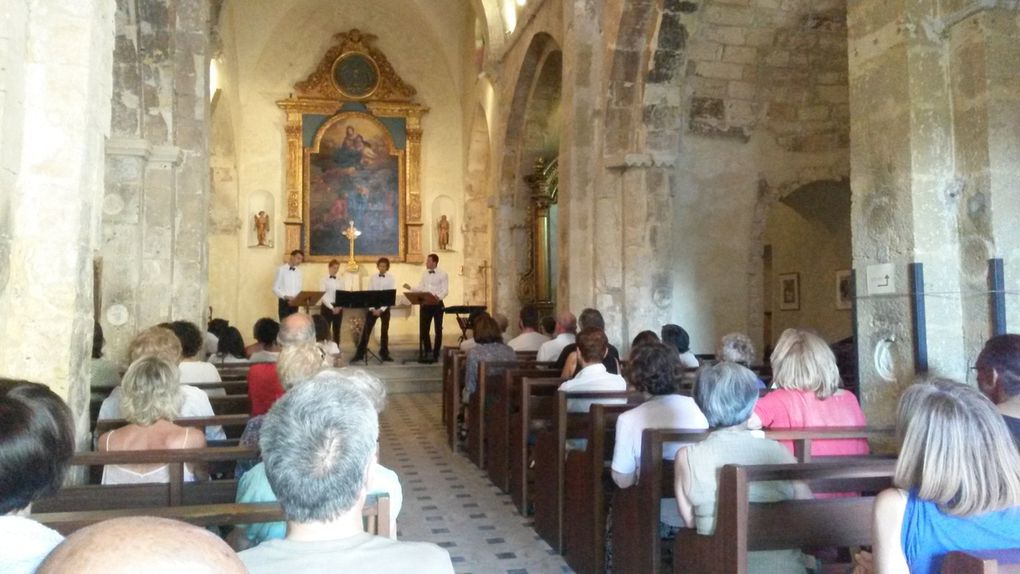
{"type": "Point", "coordinates": [319, 443]}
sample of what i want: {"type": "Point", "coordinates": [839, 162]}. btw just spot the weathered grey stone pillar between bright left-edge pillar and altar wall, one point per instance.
{"type": "Point", "coordinates": [157, 206]}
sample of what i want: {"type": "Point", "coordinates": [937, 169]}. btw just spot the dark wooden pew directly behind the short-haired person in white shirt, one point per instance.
{"type": "Point", "coordinates": [552, 454]}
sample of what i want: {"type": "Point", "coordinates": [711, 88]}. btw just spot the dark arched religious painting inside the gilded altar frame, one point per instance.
{"type": "Point", "coordinates": [354, 173]}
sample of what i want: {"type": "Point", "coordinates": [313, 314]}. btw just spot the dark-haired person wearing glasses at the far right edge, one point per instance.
{"type": "Point", "coordinates": [999, 378]}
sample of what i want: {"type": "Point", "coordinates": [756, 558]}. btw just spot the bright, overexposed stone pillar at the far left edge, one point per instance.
{"type": "Point", "coordinates": [56, 89]}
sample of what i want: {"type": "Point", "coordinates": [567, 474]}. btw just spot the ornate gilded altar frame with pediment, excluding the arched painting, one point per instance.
{"type": "Point", "coordinates": [376, 89]}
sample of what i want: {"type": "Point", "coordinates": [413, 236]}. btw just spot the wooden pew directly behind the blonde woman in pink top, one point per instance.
{"type": "Point", "coordinates": [636, 509]}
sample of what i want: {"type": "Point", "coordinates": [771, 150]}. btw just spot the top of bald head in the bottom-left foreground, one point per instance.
{"type": "Point", "coordinates": [143, 544]}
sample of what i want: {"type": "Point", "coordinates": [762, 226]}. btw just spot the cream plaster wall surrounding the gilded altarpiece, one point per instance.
{"type": "Point", "coordinates": [279, 44]}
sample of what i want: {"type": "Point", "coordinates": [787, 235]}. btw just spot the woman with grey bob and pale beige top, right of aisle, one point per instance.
{"type": "Point", "coordinates": [727, 394]}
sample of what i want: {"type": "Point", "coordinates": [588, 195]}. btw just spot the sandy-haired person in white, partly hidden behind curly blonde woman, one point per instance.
{"type": "Point", "coordinates": [160, 342]}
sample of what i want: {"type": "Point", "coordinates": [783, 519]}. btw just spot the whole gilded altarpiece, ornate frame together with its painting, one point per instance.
{"type": "Point", "coordinates": [354, 138]}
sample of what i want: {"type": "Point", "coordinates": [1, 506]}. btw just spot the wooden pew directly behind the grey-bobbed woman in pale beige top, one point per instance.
{"type": "Point", "coordinates": [743, 527]}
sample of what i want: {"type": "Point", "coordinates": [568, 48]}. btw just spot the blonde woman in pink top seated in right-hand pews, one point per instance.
{"type": "Point", "coordinates": [807, 394]}
